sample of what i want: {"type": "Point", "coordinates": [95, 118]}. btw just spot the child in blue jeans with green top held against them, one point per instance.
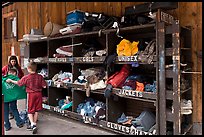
{"type": "Point", "coordinates": [12, 93]}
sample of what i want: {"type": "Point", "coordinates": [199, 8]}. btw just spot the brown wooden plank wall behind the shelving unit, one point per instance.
{"type": "Point", "coordinates": [37, 14]}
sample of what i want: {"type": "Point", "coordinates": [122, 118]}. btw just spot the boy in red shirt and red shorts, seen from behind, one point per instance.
{"type": "Point", "coordinates": [34, 84]}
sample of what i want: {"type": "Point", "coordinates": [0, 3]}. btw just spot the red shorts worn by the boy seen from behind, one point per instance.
{"type": "Point", "coordinates": [34, 101]}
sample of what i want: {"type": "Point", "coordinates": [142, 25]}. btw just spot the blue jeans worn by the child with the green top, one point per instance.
{"type": "Point", "coordinates": [14, 110]}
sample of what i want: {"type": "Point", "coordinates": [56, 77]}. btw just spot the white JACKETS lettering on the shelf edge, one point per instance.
{"type": "Point", "coordinates": [132, 93]}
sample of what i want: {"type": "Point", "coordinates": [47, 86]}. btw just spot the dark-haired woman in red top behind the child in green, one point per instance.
{"type": "Point", "coordinates": [13, 63]}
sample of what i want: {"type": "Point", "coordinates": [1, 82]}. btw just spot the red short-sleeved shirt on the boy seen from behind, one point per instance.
{"type": "Point", "coordinates": [33, 82]}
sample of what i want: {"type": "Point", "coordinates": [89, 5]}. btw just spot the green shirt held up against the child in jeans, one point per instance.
{"type": "Point", "coordinates": [12, 91]}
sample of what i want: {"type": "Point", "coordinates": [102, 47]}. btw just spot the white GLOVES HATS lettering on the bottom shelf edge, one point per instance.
{"type": "Point", "coordinates": [128, 130]}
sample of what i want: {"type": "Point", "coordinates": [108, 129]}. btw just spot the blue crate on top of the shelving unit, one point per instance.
{"type": "Point", "coordinates": [74, 17]}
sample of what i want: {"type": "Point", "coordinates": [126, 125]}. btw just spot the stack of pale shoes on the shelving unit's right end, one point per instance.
{"type": "Point", "coordinates": [186, 107]}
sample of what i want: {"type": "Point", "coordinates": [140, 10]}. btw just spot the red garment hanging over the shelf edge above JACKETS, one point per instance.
{"type": "Point", "coordinates": [118, 78]}
